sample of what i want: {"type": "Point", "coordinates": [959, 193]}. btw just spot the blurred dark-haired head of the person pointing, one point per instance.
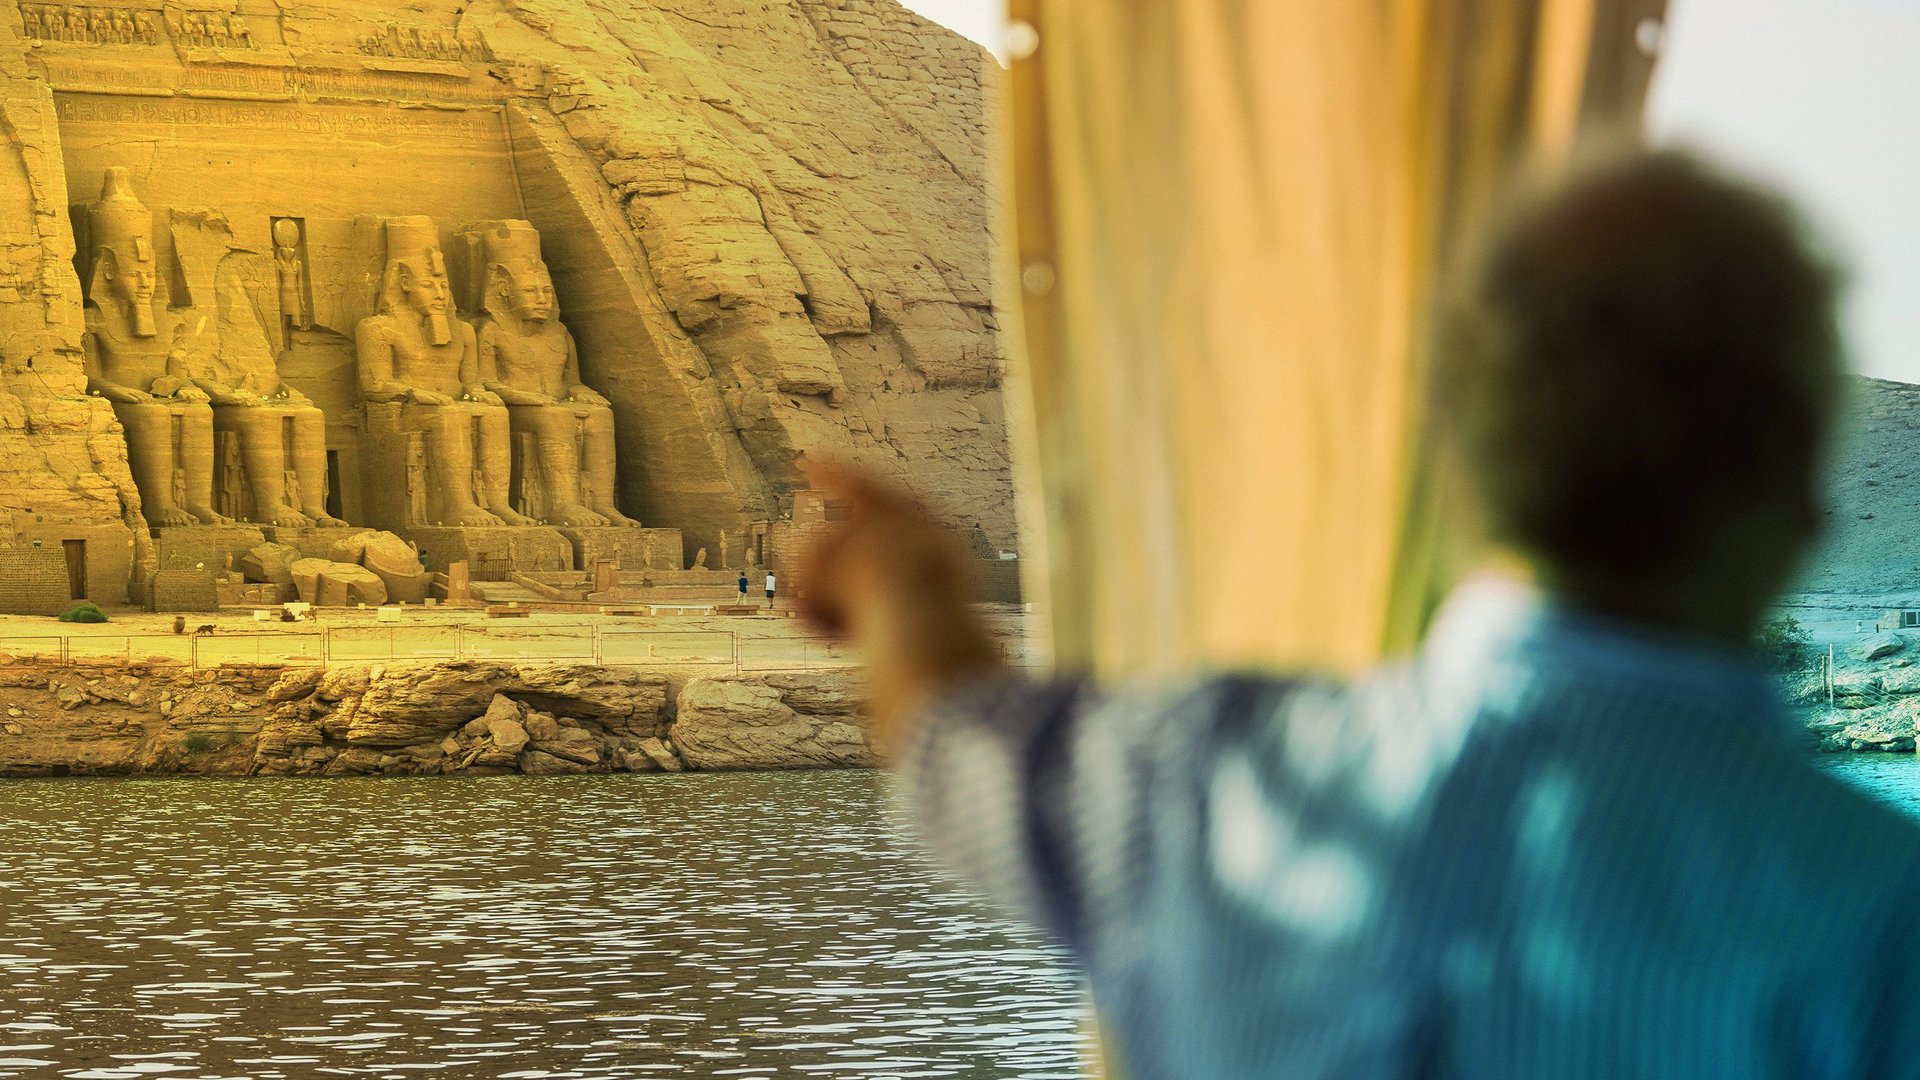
{"type": "Point", "coordinates": [1641, 380]}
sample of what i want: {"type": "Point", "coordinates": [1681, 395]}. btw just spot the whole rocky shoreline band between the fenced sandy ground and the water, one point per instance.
{"type": "Point", "coordinates": [454, 720]}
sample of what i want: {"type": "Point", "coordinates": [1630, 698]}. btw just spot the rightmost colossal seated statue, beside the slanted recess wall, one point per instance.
{"type": "Point", "coordinates": [529, 360]}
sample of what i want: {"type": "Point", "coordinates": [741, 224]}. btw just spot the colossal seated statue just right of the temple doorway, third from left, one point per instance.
{"type": "Point", "coordinates": [416, 355]}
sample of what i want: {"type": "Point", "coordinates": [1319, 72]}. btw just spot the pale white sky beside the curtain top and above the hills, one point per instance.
{"type": "Point", "coordinates": [1821, 97]}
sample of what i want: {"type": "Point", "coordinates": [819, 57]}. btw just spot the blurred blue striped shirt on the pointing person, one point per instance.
{"type": "Point", "coordinates": [1550, 847]}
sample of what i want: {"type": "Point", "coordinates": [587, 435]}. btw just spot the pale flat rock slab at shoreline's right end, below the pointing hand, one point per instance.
{"type": "Point", "coordinates": [779, 722]}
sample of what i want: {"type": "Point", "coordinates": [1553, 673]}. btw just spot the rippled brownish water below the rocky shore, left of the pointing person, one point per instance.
{"type": "Point", "coordinates": [706, 925]}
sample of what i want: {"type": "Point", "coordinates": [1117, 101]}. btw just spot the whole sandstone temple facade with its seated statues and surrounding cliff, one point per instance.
{"type": "Point", "coordinates": [546, 283]}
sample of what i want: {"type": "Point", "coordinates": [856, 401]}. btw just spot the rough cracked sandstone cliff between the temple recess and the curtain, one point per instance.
{"type": "Point", "coordinates": [807, 191]}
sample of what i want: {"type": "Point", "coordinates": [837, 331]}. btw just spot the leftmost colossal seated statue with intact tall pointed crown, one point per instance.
{"type": "Point", "coordinates": [135, 356]}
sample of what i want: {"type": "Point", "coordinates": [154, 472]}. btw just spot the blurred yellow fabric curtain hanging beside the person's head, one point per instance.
{"type": "Point", "coordinates": [1230, 218]}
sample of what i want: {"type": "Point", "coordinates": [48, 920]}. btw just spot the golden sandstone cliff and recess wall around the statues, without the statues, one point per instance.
{"type": "Point", "coordinates": [767, 230]}
